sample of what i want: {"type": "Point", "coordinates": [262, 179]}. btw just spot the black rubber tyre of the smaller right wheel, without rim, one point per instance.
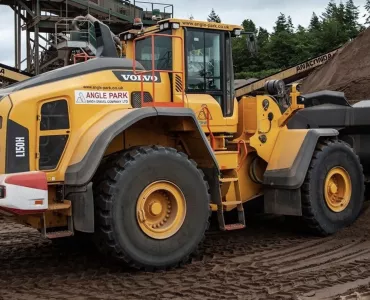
{"type": "Point", "coordinates": [316, 213]}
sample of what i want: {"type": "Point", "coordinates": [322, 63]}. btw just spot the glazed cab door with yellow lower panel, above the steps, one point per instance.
{"type": "Point", "coordinates": [208, 80]}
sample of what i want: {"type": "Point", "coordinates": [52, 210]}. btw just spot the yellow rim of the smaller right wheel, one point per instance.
{"type": "Point", "coordinates": [338, 189]}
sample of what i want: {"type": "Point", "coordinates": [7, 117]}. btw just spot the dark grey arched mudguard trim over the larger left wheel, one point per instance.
{"type": "Point", "coordinates": [82, 172]}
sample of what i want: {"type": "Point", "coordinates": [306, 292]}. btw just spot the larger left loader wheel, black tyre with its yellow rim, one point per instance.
{"type": "Point", "coordinates": [152, 208]}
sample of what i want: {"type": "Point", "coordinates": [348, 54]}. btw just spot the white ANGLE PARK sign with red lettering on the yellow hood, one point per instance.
{"type": "Point", "coordinates": [100, 97]}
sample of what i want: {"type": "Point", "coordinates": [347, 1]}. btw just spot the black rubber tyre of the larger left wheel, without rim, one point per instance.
{"type": "Point", "coordinates": [118, 233]}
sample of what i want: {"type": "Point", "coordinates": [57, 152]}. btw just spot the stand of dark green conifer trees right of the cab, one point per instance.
{"type": "Point", "coordinates": [287, 45]}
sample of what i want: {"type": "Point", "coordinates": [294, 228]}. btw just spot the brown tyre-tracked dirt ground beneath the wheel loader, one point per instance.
{"type": "Point", "coordinates": [270, 259]}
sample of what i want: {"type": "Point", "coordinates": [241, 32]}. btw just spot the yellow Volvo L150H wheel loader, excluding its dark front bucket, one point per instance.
{"type": "Point", "coordinates": [139, 151]}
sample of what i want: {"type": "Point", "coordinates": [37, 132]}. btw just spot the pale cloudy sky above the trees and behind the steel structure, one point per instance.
{"type": "Point", "coordinates": [263, 12]}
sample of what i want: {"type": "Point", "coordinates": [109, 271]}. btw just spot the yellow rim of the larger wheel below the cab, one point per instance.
{"type": "Point", "coordinates": [161, 209]}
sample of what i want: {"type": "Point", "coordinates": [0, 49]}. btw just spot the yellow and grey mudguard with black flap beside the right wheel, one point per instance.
{"type": "Point", "coordinates": [287, 169]}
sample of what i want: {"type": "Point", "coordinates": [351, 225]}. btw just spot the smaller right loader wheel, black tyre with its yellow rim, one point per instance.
{"type": "Point", "coordinates": [333, 191]}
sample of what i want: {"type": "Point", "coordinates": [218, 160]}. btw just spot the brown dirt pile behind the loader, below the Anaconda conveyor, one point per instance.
{"type": "Point", "coordinates": [348, 71]}
